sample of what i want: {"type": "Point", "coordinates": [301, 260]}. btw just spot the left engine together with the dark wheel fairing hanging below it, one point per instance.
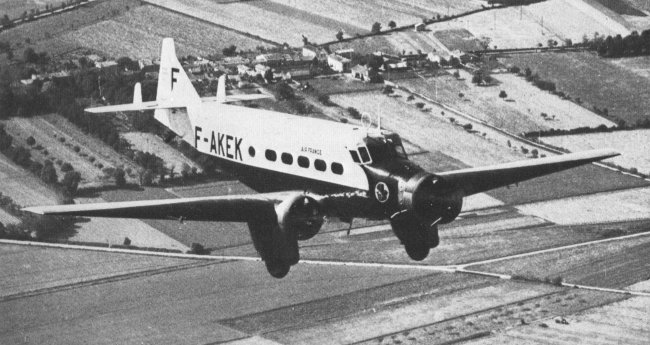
{"type": "Point", "coordinates": [276, 231]}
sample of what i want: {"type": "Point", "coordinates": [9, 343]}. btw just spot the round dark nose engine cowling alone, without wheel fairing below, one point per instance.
{"type": "Point", "coordinates": [427, 197]}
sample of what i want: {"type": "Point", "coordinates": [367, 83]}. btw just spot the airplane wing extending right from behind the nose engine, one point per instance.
{"type": "Point", "coordinates": [481, 179]}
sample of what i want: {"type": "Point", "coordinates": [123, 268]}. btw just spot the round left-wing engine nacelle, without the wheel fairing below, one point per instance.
{"type": "Point", "coordinates": [301, 215]}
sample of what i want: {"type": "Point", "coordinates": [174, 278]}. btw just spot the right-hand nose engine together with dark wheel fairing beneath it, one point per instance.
{"type": "Point", "coordinates": [424, 201]}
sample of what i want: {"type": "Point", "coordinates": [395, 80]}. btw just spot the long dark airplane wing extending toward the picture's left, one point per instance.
{"type": "Point", "coordinates": [231, 208]}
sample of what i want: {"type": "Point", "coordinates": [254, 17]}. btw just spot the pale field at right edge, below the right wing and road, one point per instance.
{"type": "Point", "coordinates": [616, 206]}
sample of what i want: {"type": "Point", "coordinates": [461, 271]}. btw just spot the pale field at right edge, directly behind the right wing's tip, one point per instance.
{"type": "Point", "coordinates": [633, 146]}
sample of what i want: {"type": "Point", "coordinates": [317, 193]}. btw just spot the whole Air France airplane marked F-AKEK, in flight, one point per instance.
{"type": "Point", "coordinates": [323, 169]}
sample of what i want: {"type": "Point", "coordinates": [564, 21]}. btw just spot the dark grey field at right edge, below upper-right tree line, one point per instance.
{"type": "Point", "coordinates": [596, 81]}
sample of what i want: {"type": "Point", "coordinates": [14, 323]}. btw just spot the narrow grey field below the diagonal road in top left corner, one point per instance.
{"type": "Point", "coordinates": [43, 33]}
